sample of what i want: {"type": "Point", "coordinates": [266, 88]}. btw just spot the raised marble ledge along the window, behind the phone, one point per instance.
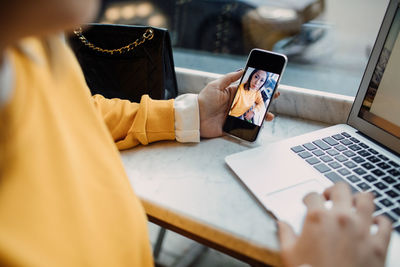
{"type": "Point", "coordinates": [294, 101]}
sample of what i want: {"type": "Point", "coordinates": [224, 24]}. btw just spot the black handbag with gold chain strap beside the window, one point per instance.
{"type": "Point", "coordinates": [125, 61]}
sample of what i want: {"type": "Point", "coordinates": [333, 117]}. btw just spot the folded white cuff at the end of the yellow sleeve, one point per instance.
{"type": "Point", "coordinates": [187, 118]}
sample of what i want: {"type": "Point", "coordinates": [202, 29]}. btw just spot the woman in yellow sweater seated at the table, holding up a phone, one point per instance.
{"type": "Point", "coordinates": [65, 199]}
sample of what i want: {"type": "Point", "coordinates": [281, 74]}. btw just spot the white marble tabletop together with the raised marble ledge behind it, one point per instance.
{"type": "Point", "coordinates": [193, 180]}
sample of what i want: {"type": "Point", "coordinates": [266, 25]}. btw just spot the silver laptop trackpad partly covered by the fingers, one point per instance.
{"type": "Point", "coordinates": [287, 204]}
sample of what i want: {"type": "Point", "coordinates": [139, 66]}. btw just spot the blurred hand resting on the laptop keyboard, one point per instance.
{"type": "Point", "coordinates": [337, 236]}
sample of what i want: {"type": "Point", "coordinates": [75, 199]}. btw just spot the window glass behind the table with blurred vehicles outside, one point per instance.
{"type": "Point", "coordinates": [327, 41]}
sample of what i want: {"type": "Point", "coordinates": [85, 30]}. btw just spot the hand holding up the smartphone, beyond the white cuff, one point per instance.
{"type": "Point", "coordinates": [214, 101]}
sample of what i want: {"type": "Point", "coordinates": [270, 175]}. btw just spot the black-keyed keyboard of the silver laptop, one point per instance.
{"type": "Point", "coordinates": [342, 157]}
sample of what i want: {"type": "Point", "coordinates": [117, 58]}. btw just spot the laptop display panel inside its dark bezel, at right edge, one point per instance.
{"type": "Point", "coordinates": [381, 104]}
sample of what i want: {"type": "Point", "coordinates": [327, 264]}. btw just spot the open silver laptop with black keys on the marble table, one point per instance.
{"type": "Point", "coordinates": [364, 152]}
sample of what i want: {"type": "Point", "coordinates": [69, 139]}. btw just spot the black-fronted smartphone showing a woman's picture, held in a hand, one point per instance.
{"type": "Point", "coordinates": [255, 92]}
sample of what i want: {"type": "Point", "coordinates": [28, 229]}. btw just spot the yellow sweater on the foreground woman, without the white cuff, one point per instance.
{"type": "Point", "coordinates": [65, 199]}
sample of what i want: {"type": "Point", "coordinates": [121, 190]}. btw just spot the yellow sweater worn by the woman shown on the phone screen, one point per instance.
{"type": "Point", "coordinates": [244, 100]}
